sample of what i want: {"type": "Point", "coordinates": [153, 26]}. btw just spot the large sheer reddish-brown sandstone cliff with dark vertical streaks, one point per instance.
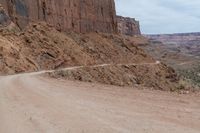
{"type": "Point", "coordinates": [77, 15]}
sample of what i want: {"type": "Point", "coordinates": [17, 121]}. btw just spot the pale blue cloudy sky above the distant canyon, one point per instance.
{"type": "Point", "coordinates": [163, 16]}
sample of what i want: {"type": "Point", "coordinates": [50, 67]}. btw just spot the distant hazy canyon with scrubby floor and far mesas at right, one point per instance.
{"type": "Point", "coordinates": [180, 51]}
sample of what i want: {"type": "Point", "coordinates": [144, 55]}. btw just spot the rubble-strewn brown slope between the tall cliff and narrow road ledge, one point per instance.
{"type": "Point", "coordinates": [40, 46]}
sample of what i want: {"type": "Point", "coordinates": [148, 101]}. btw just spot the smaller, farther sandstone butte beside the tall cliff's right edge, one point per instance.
{"type": "Point", "coordinates": [128, 26]}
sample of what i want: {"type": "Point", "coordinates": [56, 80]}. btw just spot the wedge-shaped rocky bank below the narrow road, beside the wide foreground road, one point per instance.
{"type": "Point", "coordinates": [152, 75]}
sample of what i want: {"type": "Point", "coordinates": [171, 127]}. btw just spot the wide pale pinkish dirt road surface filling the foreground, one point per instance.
{"type": "Point", "coordinates": [35, 104]}
